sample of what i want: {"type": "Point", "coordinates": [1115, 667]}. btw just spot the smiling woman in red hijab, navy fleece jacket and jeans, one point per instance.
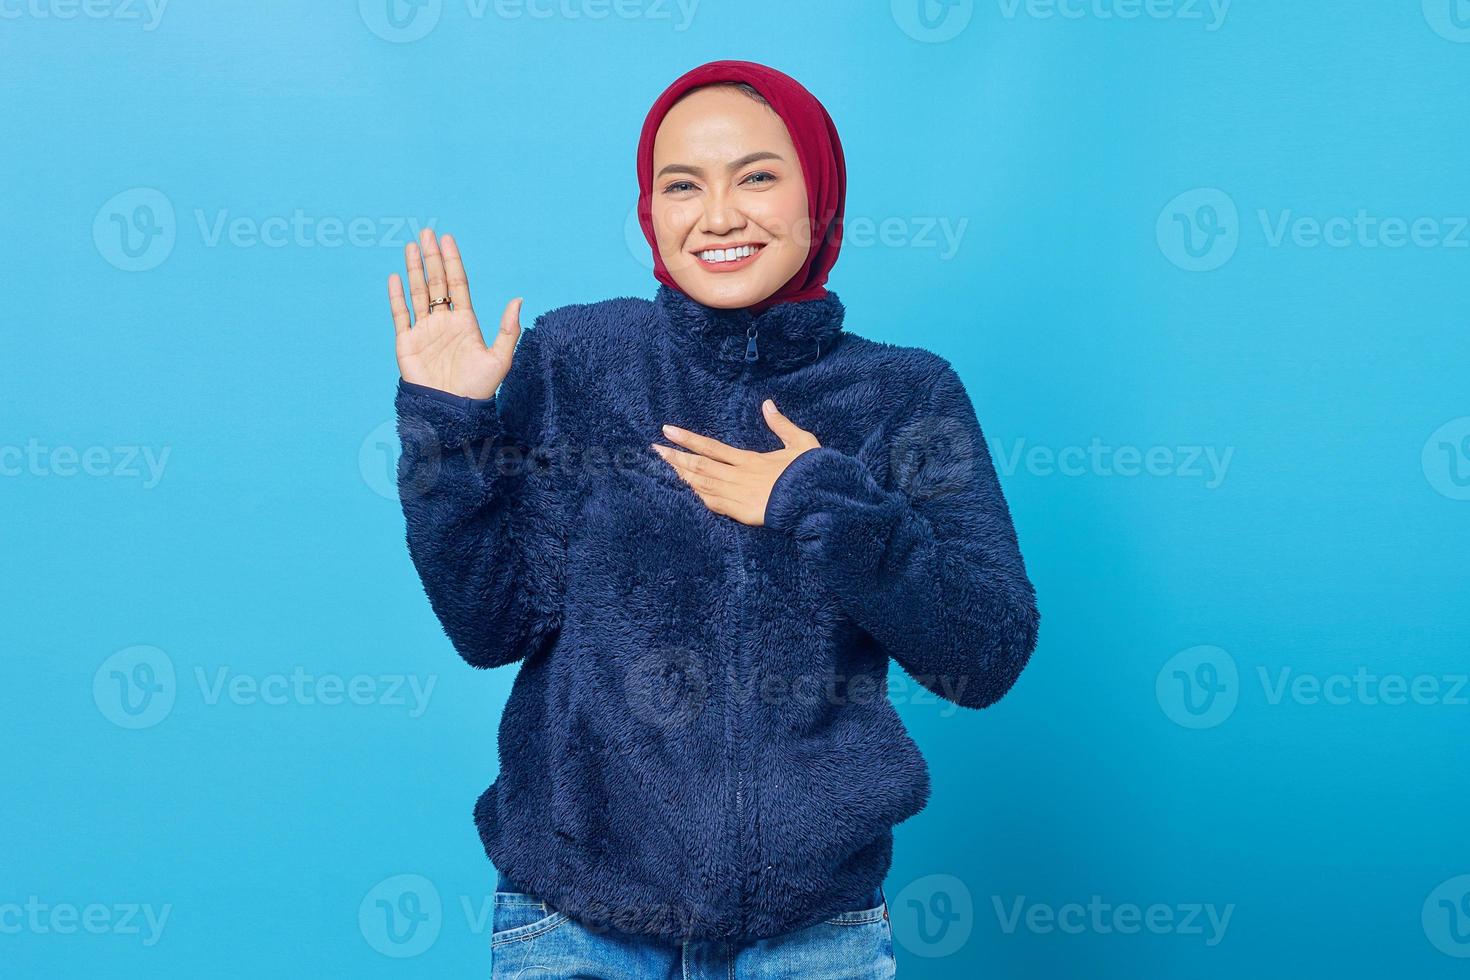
{"type": "Point", "coordinates": [699, 763]}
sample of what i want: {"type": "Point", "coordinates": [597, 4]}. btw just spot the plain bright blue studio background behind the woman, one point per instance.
{"type": "Point", "coordinates": [1114, 187]}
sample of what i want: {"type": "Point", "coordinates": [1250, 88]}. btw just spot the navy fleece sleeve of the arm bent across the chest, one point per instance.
{"type": "Point", "coordinates": [931, 569]}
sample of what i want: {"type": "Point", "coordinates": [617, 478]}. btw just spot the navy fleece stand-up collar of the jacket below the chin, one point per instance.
{"type": "Point", "coordinates": [781, 339]}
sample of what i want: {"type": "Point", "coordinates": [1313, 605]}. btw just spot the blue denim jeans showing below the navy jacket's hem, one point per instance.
{"type": "Point", "coordinates": [531, 941]}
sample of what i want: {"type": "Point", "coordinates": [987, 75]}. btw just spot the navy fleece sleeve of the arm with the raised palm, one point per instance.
{"type": "Point", "coordinates": [481, 511]}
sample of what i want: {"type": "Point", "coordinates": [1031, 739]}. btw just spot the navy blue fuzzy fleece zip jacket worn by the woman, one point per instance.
{"type": "Point", "coordinates": [699, 741]}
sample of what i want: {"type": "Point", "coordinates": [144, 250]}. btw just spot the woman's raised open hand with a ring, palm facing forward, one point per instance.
{"type": "Point", "coordinates": [443, 347]}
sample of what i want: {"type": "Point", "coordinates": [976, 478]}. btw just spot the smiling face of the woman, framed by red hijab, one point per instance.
{"type": "Point", "coordinates": [727, 177]}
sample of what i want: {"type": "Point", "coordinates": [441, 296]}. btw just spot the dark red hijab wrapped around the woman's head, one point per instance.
{"type": "Point", "coordinates": [818, 151]}
